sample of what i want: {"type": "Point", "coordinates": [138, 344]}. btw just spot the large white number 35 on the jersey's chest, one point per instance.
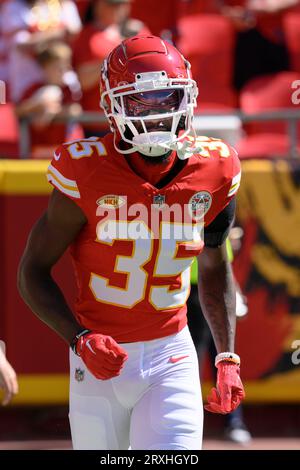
{"type": "Point", "coordinates": [167, 264]}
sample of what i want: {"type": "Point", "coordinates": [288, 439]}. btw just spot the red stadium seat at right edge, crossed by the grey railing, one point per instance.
{"type": "Point", "coordinates": [264, 94]}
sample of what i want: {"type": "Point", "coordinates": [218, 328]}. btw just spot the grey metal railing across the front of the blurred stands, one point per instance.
{"type": "Point", "coordinates": [290, 116]}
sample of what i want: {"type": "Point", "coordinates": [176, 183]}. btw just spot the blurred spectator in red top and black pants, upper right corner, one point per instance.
{"type": "Point", "coordinates": [260, 42]}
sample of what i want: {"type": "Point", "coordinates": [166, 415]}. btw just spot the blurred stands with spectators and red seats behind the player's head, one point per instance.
{"type": "Point", "coordinates": [245, 54]}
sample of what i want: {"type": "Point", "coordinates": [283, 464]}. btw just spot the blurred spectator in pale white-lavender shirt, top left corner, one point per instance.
{"type": "Point", "coordinates": [28, 24]}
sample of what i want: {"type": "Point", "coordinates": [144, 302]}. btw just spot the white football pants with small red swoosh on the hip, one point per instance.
{"type": "Point", "coordinates": [155, 403]}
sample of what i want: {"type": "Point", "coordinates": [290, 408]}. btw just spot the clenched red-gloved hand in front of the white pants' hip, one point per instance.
{"type": "Point", "coordinates": [101, 354]}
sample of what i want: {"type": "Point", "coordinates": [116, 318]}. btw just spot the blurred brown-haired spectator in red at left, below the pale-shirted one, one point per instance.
{"type": "Point", "coordinates": [53, 97]}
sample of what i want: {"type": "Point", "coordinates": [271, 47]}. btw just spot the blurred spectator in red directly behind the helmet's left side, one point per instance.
{"type": "Point", "coordinates": [108, 22]}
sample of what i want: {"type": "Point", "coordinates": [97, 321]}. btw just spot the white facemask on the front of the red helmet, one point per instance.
{"type": "Point", "coordinates": [152, 143]}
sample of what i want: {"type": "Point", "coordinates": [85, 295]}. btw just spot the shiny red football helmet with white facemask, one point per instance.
{"type": "Point", "coordinates": [148, 95]}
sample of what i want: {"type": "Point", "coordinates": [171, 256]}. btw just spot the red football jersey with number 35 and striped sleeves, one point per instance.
{"type": "Point", "coordinates": [132, 259]}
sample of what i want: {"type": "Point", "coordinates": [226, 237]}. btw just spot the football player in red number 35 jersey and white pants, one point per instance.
{"type": "Point", "coordinates": [135, 208]}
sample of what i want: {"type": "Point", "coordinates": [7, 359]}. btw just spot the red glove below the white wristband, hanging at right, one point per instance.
{"type": "Point", "coordinates": [229, 392]}
